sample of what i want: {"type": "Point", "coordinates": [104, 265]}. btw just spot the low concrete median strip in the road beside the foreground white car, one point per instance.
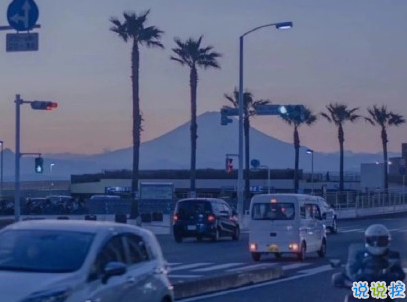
{"type": "Point", "coordinates": [196, 287]}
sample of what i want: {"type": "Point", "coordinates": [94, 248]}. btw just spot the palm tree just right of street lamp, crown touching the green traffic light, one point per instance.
{"type": "Point", "coordinates": [296, 120]}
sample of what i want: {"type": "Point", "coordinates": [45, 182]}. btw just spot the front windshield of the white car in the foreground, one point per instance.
{"type": "Point", "coordinates": [43, 250]}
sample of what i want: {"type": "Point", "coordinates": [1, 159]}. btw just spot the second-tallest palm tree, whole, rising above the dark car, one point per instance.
{"type": "Point", "coordinates": [193, 55]}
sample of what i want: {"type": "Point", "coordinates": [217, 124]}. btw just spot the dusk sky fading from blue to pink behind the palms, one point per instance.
{"type": "Point", "coordinates": [347, 51]}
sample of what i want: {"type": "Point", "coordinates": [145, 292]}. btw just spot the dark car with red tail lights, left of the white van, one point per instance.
{"type": "Point", "coordinates": [204, 218]}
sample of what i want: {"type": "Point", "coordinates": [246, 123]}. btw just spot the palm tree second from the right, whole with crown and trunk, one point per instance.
{"type": "Point", "coordinates": [339, 114]}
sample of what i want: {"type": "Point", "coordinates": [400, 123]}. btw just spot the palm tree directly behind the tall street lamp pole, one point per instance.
{"type": "Point", "coordinates": [249, 110]}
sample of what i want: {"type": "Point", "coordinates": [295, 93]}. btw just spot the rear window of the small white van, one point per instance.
{"type": "Point", "coordinates": [273, 211]}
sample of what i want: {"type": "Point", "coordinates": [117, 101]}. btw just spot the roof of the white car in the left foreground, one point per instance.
{"type": "Point", "coordinates": [73, 225]}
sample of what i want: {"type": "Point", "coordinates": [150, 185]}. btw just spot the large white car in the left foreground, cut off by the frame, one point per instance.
{"type": "Point", "coordinates": [78, 261]}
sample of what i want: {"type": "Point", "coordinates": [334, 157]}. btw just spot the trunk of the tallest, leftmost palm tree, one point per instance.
{"type": "Point", "coordinates": [135, 61]}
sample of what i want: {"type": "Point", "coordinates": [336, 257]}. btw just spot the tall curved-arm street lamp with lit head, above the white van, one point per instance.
{"type": "Point", "coordinates": [280, 25]}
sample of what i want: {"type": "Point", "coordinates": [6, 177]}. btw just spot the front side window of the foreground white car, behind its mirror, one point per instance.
{"type": "Point", "coordinates": [112, 251]}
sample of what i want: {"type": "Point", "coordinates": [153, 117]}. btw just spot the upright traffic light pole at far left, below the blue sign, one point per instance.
{"type": "Point", "coordinates": [17, 210]}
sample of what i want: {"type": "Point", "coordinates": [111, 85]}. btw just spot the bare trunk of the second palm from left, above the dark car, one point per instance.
{"type": "Point", "coordinates": [193, 82]}
